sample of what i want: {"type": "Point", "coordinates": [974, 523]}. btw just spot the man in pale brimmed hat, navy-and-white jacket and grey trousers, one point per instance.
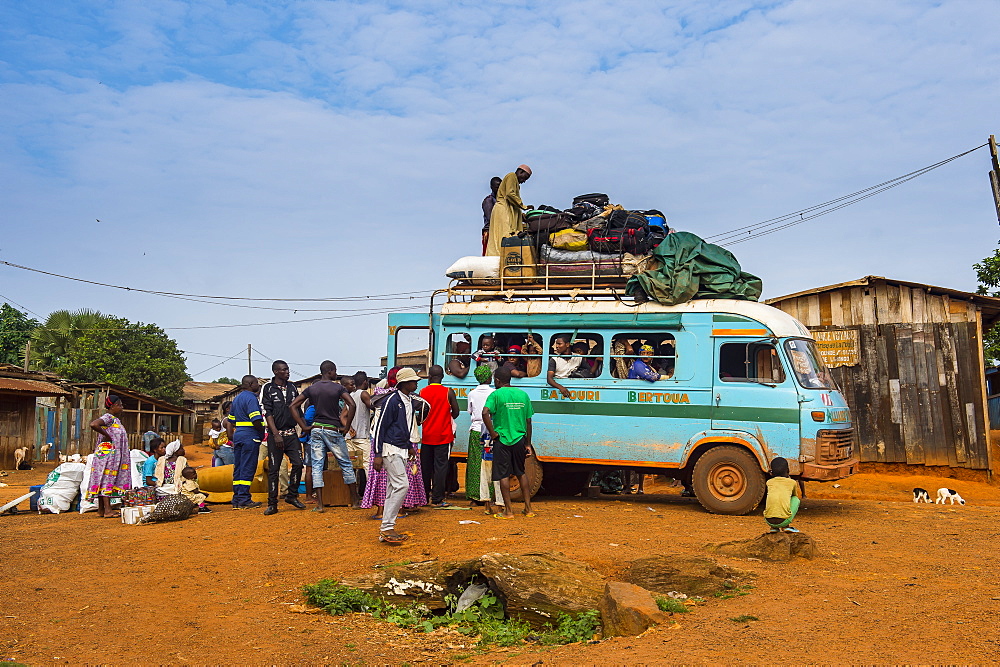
{"type": "Point", "coordinates": [394, 448]}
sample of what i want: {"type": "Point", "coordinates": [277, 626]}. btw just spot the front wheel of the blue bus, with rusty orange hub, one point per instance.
{"type": "Point", "coordinates": [728, 480]}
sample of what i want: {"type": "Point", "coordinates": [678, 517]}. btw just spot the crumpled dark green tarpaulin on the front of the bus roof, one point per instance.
{"type": "Point", "coordinates": [694, 269]}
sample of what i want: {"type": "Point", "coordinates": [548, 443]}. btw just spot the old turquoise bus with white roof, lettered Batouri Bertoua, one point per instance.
{"type": "Point", "coordinates": [738, 383]}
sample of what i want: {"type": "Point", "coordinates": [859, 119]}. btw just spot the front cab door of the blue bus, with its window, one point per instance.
{"type": "Point", "coordinates": [753, 394]}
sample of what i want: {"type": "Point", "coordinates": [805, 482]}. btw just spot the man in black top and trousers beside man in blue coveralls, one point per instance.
{"type": "Point", "coordinates": [275, 398]}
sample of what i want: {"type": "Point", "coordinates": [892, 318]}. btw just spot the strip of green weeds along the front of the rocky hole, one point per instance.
{"type": "Point", "coordinates": [484, 619]}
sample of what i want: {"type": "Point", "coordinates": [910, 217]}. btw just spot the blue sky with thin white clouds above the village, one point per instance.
{"type": "Point", "coordinates": [311, 149]}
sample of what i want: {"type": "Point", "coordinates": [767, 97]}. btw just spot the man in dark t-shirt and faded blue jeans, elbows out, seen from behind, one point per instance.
{"type": "Point", "coordinates": [327, 430]}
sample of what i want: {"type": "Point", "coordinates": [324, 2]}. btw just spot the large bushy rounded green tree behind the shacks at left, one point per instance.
{"type": "Point", "coordinates": [135, 355]}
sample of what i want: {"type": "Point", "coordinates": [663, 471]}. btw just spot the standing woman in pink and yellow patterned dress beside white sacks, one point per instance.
{"type": "Point", "coordinates": [111, 467]}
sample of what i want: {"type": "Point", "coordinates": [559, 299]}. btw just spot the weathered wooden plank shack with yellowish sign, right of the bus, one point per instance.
{"type": "Point", "coordinates": [909, 360]}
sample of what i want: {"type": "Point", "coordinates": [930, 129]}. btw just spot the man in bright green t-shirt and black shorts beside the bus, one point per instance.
{"type": "Point", "coordinates": [507, 416]}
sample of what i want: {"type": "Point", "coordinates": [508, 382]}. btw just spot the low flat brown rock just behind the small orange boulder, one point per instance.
{"type": "Point", "coordinates": [685, 574]}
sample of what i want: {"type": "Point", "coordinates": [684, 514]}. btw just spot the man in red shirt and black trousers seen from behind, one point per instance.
{"type": "Point", "coordinates": [438, 434]}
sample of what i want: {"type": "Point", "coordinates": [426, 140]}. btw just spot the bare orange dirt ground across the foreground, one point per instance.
{"type": "Point", "coordinates": [896, 582]}
